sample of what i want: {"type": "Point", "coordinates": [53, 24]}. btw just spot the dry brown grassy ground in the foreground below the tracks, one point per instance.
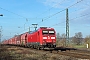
{"type": "Point", "coordinates": [19, 53]}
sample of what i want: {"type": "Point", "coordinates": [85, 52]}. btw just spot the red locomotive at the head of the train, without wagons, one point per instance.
{"type": "Point", "coordinates": [43, 37]}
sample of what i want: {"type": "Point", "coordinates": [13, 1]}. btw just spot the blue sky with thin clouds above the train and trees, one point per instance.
{"type": "Point", "coordinates": [19, 15]}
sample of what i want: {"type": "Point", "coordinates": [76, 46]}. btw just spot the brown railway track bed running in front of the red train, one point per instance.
{"type": "Point", "coordinates": [83, 54]}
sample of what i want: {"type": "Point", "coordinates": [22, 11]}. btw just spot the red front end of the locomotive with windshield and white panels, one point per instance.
{"type": "Point", "coordinates": [48, 38]}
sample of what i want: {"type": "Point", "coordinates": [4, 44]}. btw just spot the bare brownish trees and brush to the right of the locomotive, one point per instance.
{"type": "Point", "coordinates": [77, 39]}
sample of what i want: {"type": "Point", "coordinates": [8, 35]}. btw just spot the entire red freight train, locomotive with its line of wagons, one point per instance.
{"type": "Point", "coordinates": [41, 38]}
